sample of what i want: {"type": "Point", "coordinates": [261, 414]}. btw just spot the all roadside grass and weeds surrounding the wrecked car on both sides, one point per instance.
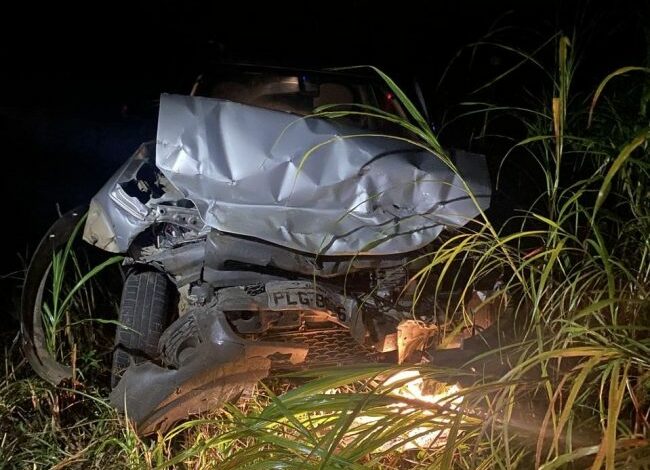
{"type": "Point", "coordinates": [569, 389]}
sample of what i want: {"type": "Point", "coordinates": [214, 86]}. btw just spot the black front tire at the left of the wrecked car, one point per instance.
{"type": "Point", "coordinates": [144, 314]}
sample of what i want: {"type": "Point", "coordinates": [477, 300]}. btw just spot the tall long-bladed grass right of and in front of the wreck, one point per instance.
{"type": "Point", "coordinates": [575, 391]}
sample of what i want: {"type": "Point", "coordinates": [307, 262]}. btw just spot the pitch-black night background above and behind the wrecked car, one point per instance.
{"type": "Point", "coordinates": [79, 84]}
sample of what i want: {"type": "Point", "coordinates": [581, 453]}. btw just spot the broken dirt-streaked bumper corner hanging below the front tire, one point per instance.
{"type": "Point", "coordinates": [205, 365]}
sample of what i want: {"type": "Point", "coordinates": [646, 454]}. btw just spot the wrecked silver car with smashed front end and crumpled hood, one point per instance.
{"type": "Point", "coordinates": [260, 238]}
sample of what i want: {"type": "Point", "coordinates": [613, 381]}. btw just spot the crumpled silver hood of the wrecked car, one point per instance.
{"type": "Point", "coordinates": [310, 184]}
